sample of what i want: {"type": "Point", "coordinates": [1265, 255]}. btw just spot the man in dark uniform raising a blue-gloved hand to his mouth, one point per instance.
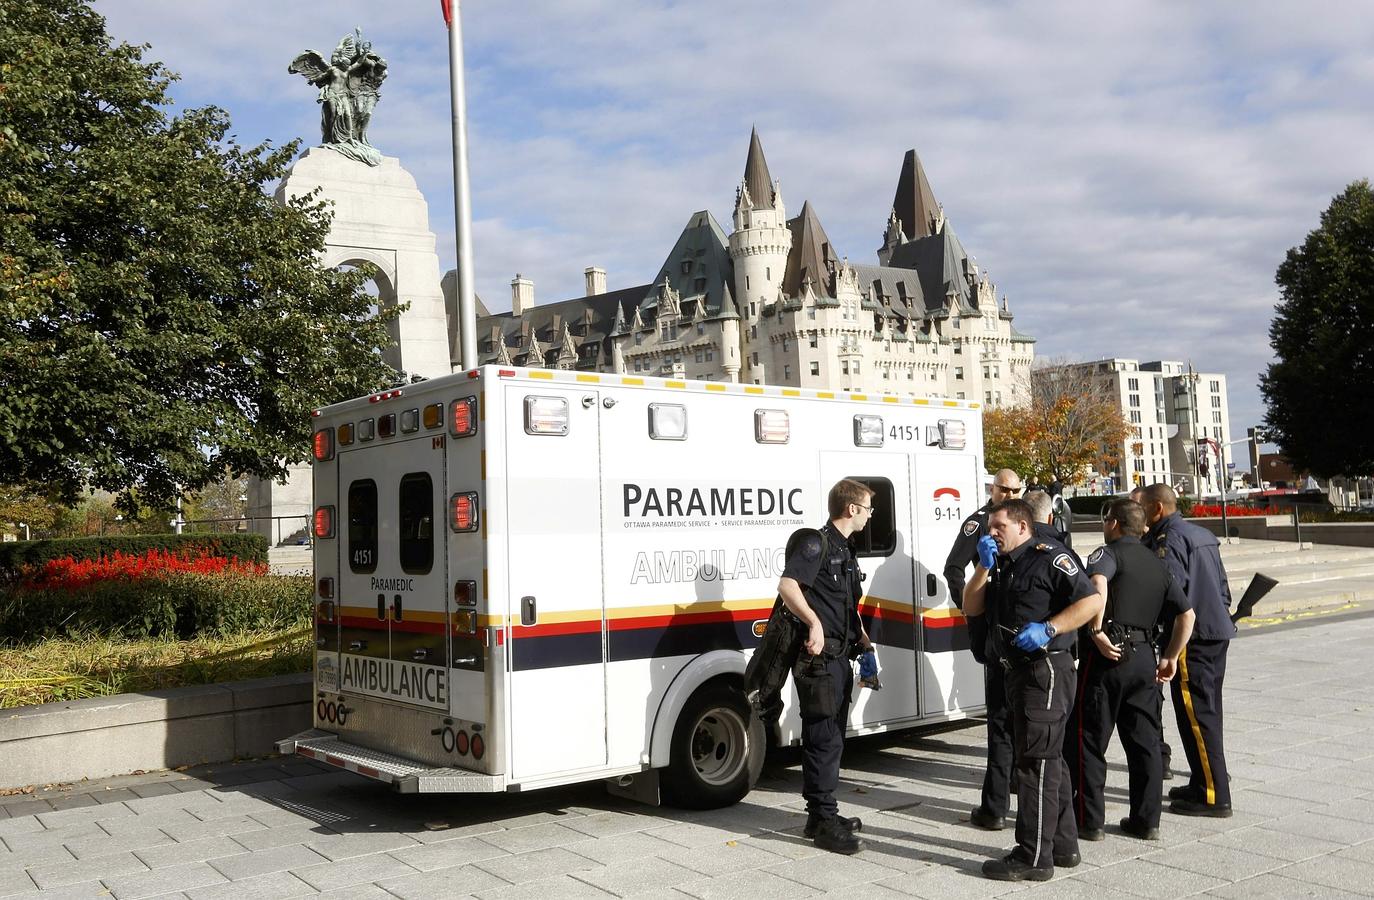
{"type": "Point", "coordinates": [1037, 598]}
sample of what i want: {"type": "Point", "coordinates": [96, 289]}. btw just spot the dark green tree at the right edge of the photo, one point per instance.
{"type": "Point", "coordinates": [1320, 409]}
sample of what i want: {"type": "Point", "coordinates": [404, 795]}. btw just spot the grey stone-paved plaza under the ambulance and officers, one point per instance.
{"type": "Point", "coordinates": [1299, 743]}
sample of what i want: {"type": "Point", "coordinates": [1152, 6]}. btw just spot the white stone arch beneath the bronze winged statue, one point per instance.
{"type": "Point", "coordinates": [380, 218]}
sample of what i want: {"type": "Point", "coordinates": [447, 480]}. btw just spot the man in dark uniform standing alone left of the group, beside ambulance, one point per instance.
{"type": "Point", "coordinates": [821, 586]}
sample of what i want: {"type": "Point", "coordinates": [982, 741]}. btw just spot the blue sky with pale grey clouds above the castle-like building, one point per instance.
{"type": "Point", "coordinates": [1130, 174]}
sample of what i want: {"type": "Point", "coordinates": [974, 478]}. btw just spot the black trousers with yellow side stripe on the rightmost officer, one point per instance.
{"type": "Point", "coordinates": [1197, 707]}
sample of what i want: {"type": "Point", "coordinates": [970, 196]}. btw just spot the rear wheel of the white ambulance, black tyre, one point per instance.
{"type": "Point", "coordinates": [718, 750]}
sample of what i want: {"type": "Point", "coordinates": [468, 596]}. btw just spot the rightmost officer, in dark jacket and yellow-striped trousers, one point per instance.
{"type": "Point", "coordinates": [1195, 560]}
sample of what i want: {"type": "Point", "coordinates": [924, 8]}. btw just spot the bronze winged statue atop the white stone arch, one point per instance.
{"type": "Point", "coordinates": [350, 87]}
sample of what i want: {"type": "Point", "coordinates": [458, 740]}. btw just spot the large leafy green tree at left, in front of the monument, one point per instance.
{"type": "Point", "coordinates": [163, 319]}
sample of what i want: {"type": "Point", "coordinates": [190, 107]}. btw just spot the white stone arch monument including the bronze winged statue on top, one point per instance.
{"type": "Point", "coordinates": [380, 218]}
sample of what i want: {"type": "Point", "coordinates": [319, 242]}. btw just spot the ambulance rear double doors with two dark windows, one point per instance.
{"type": "Point", "coordinates": [394, 570]}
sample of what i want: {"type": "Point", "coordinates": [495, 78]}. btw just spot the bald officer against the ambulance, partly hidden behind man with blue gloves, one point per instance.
{"type": "Point", "coordinates": [993, 810]}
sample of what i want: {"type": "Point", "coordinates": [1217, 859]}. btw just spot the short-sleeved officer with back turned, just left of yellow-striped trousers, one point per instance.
{"type": "Point", "coordinates": [1119, 677]}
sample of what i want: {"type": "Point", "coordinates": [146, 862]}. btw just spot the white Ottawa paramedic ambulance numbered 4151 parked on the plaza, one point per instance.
{"type": "Point", "coordinates": [532, 578]}
